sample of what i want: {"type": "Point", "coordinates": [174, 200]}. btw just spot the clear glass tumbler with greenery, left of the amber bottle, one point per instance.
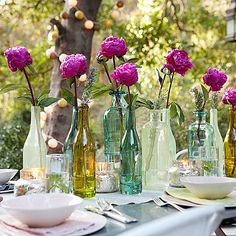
{"type": "Point", "coordinates": [57, 173]}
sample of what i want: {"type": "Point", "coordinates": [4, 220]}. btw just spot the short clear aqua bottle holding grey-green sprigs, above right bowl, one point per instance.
{"type": "Point", "coordinates": [200, 145]}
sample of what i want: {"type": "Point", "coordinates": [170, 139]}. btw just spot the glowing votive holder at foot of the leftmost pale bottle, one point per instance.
{"type": "Point", "coordinates": [32, 180]}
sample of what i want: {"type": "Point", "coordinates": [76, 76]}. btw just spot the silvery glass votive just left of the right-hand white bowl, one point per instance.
{"type": "Point", "coordinates": [181, 168]}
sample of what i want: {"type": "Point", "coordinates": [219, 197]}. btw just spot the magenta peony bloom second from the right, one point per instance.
{"type": "Point", "coordinates": [215, 79]}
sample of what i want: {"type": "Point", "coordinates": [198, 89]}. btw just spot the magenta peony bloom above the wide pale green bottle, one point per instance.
{"type": "Point", "coordinates": [178, 61]}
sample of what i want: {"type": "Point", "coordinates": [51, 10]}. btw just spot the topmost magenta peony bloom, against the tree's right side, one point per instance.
{"type": "Point", "coordinates": [113, 46]}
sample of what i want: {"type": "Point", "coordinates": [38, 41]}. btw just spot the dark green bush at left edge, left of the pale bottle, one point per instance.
{"type": "Point", "coordinates": [12, 137]}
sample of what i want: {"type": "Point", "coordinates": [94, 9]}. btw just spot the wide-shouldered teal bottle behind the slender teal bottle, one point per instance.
{"type": "Point", "coordinates": [114, 127]}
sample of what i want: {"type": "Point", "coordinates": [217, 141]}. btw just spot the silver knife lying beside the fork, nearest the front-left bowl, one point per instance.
{"type": "Point", "coordinates": [122, 218]}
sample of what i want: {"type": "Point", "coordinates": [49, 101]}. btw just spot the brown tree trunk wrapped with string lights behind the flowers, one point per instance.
{"type": "Point", "coordinates": [73, 38]}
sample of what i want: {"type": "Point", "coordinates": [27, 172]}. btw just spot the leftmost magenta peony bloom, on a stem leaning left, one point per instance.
{"type": "Point", "coordinates": [17, 58]}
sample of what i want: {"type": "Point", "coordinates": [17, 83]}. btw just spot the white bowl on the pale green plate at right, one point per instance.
{"type": "Point", "coordinates": [209, 187]}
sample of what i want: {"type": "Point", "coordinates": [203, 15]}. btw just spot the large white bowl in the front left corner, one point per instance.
{"type": "Point", "coordinates": [42, 209]}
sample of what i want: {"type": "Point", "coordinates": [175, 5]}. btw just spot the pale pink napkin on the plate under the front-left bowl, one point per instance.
{"type": "Point", "coordinates": [12, 227]}
